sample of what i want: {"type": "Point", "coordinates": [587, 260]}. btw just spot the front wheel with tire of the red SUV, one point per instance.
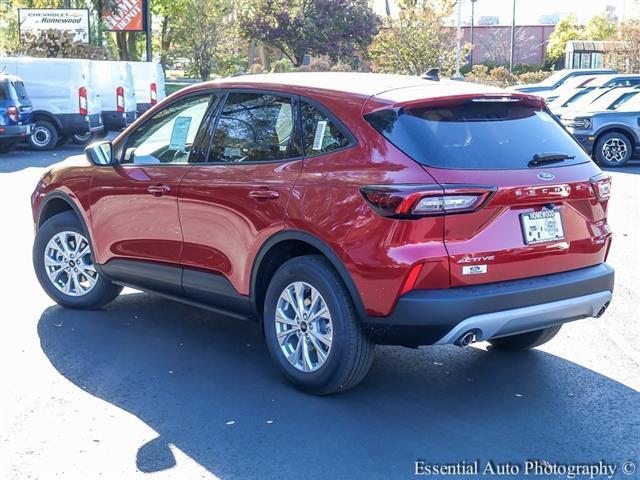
{"type": "Point", "coordinates": [64, 265]}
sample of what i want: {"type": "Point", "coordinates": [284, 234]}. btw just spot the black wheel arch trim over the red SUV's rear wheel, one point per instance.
{"type": "Point", "coordinates": [290, 244]}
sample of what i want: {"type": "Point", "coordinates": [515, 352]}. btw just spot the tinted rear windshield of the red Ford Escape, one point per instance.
{"type": "Point", "coordinates": [476, 135]}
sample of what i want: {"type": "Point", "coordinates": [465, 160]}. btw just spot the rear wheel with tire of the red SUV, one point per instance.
{"type": "Point", "coordinates": [311, 328]}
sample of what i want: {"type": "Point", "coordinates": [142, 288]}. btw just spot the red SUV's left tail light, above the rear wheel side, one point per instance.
{"type": "Point", "coordinates": [411, 201]}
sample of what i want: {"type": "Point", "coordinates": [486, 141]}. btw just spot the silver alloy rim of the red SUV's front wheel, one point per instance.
{"type": "Point", "coordinates": [69, 265]}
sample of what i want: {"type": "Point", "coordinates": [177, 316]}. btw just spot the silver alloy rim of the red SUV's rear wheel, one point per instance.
{"type": "Point", "coordinates": [303, 326]}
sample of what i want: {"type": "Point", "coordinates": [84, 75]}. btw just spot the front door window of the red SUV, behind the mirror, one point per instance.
{"type": "Point", "coordinates": [167, 137]}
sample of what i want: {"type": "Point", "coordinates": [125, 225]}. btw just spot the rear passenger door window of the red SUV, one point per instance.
{"type": "Point", "coordinates": [255, 128]}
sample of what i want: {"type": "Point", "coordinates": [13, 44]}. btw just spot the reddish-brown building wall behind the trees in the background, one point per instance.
{"type": "Point", "coordinates": [492, 43]}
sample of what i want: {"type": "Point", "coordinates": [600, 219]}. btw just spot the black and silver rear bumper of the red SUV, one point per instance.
{"type": "Point", "coordinates": [427, 317]}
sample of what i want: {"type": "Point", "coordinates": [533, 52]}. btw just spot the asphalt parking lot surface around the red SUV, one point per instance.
{"type": "Point", "coordinates": [147, 388]}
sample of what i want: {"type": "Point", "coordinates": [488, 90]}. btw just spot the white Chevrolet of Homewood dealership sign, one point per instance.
{"type": "Point", "coordinates": [74, 20]}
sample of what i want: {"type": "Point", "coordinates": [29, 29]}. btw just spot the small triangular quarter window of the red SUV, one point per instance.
{"type": "Point", "coordinates": [320, 134]}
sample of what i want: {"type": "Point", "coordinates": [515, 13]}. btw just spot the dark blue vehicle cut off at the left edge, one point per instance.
{"type": "Point", "coordinates": [15, 112]}
